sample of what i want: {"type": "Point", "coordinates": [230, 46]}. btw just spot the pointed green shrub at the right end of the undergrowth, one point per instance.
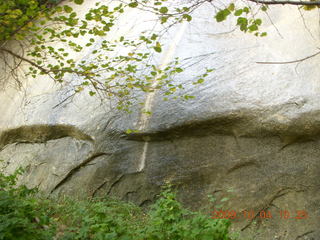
{"type": "Point", "coordinates": [169, 220]}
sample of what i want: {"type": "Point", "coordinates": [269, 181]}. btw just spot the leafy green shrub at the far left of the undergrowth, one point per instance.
{"type": "Point", "coordinates": [21, 215]}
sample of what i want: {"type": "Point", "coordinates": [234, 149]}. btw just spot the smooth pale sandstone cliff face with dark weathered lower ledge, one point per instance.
{"type": "Point", "coordinates": [252, 134]}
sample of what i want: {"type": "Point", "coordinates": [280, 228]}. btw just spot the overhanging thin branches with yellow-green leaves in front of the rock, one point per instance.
{"type": "Point", "coordinates": [49, 34]}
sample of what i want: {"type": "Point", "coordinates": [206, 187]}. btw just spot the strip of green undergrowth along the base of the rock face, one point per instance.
{"type": "Point", "coordinates": [24, 214]}
